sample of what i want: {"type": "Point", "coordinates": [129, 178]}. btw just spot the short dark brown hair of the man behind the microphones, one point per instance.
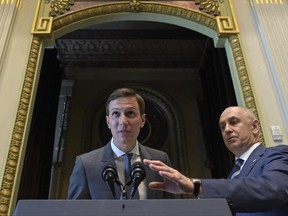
{"type": "Point", "coordinates": [126, 92]}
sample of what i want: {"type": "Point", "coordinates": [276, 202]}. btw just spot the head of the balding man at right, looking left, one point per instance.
{"type": "Point", "coordinates": [239, 131]}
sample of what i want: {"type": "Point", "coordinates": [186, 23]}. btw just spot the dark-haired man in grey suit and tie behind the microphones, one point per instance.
{"type": "Point", "coordinates": [125, 110]}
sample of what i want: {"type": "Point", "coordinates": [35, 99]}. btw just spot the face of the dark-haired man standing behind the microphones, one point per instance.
{"type": "Point", "coordinates": [125, 122]}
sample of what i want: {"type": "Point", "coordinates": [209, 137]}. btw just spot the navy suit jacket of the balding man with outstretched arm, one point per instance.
{"type": "Point", "coordinates": [262, 180]}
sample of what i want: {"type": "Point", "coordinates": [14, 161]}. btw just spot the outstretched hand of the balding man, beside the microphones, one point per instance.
{"type": "Point", "coordinates": [174, 181]}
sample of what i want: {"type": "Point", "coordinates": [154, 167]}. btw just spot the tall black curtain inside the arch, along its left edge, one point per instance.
{"type": "Point", "coordinates": [35, 178]}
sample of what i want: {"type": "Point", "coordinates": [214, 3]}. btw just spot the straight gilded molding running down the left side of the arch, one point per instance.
{"type": "Point", "coordinates": [19, 128]}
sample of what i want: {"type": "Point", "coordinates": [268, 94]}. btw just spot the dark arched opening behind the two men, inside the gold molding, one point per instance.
{"type": "Point", "coordinates": [183, 65]}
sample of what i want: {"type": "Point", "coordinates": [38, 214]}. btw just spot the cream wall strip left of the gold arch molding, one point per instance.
{"type": "Point", "coordinates": [12, 73]}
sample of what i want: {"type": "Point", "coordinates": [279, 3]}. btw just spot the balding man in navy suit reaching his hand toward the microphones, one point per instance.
{"type": "Point", "coordinates": [259, 188]}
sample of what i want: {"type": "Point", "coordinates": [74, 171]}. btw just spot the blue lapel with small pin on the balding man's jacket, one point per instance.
{"type": "Point", "coordinates": [252, 160]}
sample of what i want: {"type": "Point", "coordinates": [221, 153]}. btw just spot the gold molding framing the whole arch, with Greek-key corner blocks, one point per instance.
{"type": "Point", "coordinates": [48, 28]}
